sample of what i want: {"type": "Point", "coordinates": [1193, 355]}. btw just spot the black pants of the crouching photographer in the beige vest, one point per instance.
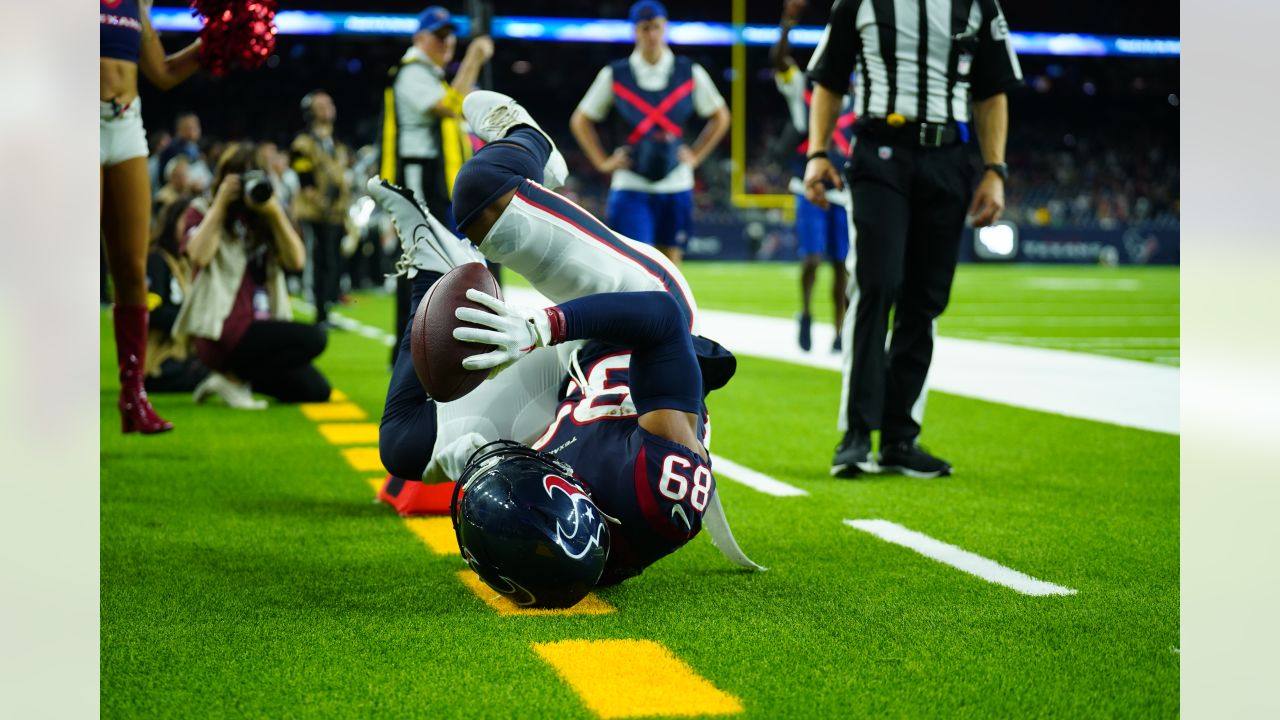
{"type": "Point", "coordinates": [276, 358]}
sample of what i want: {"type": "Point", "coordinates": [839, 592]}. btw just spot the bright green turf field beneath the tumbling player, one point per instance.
{"type": "Point", "coordinates": [246, 572]}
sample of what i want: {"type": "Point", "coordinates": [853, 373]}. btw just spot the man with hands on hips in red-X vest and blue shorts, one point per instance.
{"type": "Point", "coordinates": [653, 94]}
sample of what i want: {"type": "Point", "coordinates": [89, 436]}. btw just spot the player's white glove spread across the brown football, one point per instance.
{"type": "Point", "coordinates": [514, 332]}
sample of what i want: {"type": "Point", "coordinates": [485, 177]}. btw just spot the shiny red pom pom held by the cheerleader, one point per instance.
{"type": "Point", "coordinates": [237, 35]}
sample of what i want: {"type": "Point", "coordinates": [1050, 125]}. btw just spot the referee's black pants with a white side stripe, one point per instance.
{"type": "Point", "coordinates": [909, 209]}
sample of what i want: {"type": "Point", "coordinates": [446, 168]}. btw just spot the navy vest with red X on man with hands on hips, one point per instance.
{"type": "Point", "coordinates": [653, 122]}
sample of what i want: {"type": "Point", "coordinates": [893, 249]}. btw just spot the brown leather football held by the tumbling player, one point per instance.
{"type": "Point", "coordinates": [437, 354]}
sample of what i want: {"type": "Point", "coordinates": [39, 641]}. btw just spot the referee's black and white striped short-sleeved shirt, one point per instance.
{"type": "Point", "coordinates": [917, 58]}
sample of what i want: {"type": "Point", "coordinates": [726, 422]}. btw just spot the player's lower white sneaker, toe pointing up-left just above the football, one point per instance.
{"type": "Point", "coordinates": [428, 244]}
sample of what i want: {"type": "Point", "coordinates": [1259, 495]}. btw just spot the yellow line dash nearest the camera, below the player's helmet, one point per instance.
{"type": "Point", "coordinates": [643, 680]}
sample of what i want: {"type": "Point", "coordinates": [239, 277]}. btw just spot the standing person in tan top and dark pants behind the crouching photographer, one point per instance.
{"type": "Point", "coordinates": [321, 207]}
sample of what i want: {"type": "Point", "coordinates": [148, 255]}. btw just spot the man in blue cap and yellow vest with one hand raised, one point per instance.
{"type": "Point", "coordinates": [424, 139]}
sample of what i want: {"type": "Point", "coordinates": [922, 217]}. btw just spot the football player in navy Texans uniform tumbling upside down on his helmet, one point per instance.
{"type": "Point", "coordinates": [609, 381]}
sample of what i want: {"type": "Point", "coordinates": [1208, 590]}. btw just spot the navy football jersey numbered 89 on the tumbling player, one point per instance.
{"type": "Point", "coordinates": [656, 489]}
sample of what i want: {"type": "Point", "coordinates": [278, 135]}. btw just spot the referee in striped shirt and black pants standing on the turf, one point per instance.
{"type": "Point", "coordinates": [920, 66]}
